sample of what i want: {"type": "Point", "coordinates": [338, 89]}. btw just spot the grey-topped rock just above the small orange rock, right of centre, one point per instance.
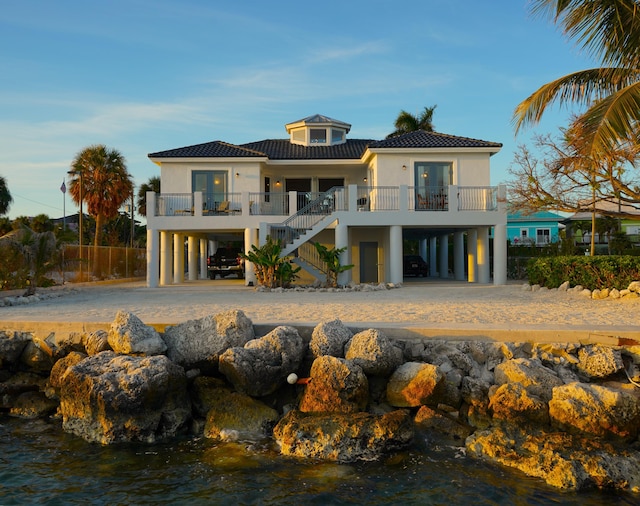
{"type": "Point", "coordinates": [536, 378]}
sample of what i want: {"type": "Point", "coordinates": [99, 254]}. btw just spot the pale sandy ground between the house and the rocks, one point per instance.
{"type": "Point", "coordinates": [431, 304]}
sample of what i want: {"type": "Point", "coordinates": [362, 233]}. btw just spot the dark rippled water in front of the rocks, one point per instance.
{"type": "Point", "coordinates": [40, 464]}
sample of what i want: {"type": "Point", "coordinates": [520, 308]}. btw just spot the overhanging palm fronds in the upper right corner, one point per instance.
{"type": "Point", "coordinates": [610, 31]}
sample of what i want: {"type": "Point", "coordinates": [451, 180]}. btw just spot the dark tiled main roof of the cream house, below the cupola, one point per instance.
{"type": "Point", "coordinates": [283, 149]}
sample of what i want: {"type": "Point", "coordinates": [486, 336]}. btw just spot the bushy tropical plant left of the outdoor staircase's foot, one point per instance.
{"type": "Point", "coordinates": [271, 269]}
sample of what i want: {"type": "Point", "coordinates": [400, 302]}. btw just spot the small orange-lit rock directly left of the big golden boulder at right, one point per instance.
{"type": "Point", "coordinates": [512, 403]}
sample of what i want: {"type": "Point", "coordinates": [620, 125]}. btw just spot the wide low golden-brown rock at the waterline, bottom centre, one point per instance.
{"type": "Point", "coordinates": [343, 437]}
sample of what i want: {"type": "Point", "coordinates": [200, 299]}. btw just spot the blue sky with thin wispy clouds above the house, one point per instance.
{"type": "Point", "coordinates": [147, 75]}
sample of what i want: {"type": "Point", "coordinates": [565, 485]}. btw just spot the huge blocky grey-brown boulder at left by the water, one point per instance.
{"type": "Point", "coordinates": [109, 398]}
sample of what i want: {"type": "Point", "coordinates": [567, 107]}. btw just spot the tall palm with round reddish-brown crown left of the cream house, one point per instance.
{"type": "Point", "coordinates": [100, 175]}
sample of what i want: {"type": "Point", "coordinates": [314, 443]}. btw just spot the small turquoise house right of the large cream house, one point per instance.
{"type": "Point", "coordinates": [539, 228]}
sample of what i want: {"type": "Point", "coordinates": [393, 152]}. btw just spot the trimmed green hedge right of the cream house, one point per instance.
{"type": "Point", "coordinates": [596, 272]}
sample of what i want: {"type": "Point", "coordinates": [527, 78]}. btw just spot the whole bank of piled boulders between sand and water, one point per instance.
{"type": "Point", "coordinates": [568, 414]}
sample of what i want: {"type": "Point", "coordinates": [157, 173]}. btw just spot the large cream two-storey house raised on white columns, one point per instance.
{"type": "Point", "coordinates": [318, 185]}
